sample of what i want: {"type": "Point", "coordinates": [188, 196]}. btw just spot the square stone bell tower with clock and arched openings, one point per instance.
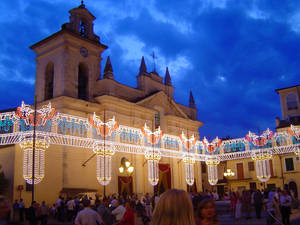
{"type": "Point", "coordinates": [68, 62]}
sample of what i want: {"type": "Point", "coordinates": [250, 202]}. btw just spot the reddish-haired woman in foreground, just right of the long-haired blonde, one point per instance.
{"type": "Point", "coordinates": [206, 213]}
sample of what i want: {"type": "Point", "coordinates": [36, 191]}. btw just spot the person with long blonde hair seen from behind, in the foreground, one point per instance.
{"type": "Point", "coordinates": [174, 207]}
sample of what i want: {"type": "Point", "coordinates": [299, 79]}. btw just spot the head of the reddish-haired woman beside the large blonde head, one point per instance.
{"type": "Point", "coordinates": [207, 210]}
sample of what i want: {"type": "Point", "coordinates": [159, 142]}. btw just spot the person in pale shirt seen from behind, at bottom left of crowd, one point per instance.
{"type": "Point", "coordinates": [87, 216]}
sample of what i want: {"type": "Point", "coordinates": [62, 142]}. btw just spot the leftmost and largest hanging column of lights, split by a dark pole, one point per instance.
{"type": "Point", "coordinates": [41, 144]}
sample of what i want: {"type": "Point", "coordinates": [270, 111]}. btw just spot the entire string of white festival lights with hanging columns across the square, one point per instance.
{"type": "Point", "coordinates": [69, 130]}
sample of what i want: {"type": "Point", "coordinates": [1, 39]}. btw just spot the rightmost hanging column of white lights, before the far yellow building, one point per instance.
{"type": "Point", "coordinates": [262, 159]}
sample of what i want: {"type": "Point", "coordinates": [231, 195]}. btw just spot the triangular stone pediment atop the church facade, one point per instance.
{"type": "Point", "coordinates": [161, 100]}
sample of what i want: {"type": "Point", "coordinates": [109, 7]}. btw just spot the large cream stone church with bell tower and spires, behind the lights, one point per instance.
{"type": "Point", "coordinates": [68, 74]}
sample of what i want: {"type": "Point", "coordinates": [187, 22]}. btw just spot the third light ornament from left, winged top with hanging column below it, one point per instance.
{"type": "Point", "coordinates": [152, 154]}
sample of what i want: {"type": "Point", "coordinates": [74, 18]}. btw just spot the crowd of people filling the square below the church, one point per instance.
{"type": "Point", "coordinates": [172, 207]}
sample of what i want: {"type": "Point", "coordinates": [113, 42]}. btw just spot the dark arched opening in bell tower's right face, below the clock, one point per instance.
{"type": "Point", "coordinates": [82, 82]}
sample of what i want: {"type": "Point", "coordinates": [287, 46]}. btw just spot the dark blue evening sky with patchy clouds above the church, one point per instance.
{"type": "Point", "coordinates": [232, 54]}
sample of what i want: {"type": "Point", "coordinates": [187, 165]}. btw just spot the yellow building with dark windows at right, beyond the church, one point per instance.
{"type": "Point", "coordinates": [284, 168]}
